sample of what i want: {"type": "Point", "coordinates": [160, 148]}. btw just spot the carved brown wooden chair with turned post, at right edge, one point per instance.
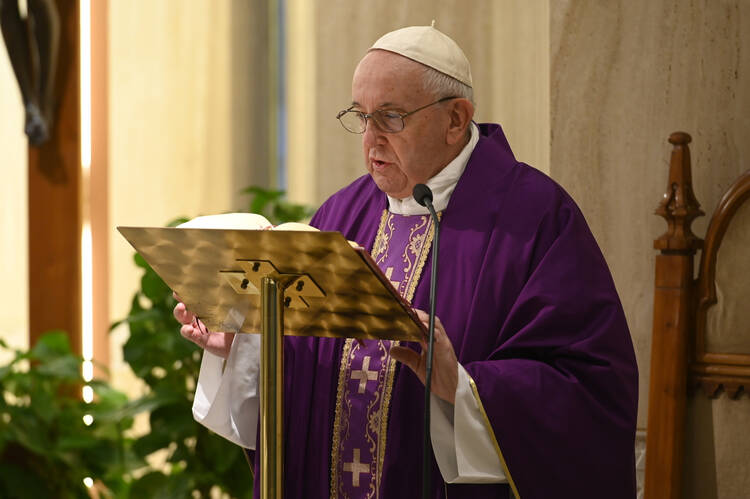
{"type": "Point", "coordinates": [698, 435]}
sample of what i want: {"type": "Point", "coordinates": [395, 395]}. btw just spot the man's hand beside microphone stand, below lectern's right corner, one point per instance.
{"type": "Point", "coordinates": [444, 362]}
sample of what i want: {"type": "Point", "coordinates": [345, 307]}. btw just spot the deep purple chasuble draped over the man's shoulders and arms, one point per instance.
{"type": "Point", "coordinates": [533, 315]}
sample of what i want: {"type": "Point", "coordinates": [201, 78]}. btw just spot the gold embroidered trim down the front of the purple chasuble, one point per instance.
{"type": "Point", "coordinates": [414, 257]}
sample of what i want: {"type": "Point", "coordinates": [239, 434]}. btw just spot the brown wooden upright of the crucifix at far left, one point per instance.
{"type": "Point", "coordinates": [54, 175]}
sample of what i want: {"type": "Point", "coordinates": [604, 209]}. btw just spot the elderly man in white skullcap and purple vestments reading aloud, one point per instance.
{"type": "Point", "coordinates": [534, 382]}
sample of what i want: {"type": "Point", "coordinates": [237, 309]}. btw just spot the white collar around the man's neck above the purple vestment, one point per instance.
{"type": "Point", "coordinates": [441, 185]}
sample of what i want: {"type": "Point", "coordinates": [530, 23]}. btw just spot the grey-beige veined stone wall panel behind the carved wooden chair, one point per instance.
{"type": "Point", "coordinates": [624, 75]}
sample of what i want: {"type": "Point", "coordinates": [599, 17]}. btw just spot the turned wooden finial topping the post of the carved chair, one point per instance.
{"type": "Point", "coordinates": [679, 206]}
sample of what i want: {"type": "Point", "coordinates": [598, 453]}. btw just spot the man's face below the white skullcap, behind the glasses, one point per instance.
{"type": "Point", "coordinates": [399, 161]}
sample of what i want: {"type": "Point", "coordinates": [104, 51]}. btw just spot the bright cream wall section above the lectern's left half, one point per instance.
{"type": "Point", "coordinates": [187, 127]}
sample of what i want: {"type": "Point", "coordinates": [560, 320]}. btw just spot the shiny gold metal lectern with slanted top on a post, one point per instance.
{"type": "Point", "coordinates": [276, 283]}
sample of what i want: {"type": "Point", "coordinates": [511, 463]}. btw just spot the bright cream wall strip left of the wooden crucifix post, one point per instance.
{"type": "Point", "coordinates": [14, 300]}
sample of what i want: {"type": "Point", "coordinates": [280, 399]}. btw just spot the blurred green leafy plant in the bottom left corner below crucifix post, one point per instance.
{"type": "Point", "coordinates": [43, 438]}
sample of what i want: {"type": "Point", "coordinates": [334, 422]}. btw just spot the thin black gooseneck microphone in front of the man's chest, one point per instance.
{"type": "Point", "coordinates": [423, 195]}
